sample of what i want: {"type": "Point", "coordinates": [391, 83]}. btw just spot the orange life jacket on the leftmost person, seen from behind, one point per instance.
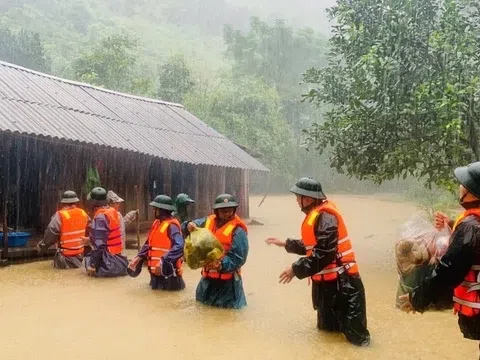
{"type": "Point", "coordinates": [73, 223]}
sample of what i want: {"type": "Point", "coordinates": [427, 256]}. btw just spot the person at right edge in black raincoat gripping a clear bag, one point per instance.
{"type": "Point", "coordinates": [459, 268]}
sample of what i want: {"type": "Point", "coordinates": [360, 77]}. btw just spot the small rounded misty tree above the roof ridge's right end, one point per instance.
{"type": "Point", "coordinates": [175, 79]}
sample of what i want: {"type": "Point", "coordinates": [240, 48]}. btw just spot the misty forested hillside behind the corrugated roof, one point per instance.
{"type": "Point", "coordinates": [236, 64]}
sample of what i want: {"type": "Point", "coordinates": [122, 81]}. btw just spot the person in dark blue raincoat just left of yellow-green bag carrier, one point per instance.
{"type": "Point", "coordinates": [163, 249]}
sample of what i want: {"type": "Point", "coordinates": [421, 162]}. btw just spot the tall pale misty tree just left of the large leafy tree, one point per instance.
{"type": "Point", "coordinates": [278, 55]}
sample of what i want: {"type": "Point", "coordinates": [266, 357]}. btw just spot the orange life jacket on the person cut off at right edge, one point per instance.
{"type": "Point", "coordinates": [467, 295]}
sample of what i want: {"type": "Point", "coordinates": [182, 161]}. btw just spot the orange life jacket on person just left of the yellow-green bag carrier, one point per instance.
{"type": "Point", "coordinates": [159, 244]}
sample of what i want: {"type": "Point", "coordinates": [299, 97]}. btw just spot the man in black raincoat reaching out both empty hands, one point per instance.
{"type": "Point", "coordinates": [328, 260]}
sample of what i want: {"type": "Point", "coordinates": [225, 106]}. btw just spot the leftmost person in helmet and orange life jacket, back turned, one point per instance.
{"type": "Point", "coordinates": [66, 229]}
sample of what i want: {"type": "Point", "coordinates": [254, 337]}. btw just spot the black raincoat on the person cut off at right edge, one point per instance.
{"type": "Point", "coordinates": [463, 252]}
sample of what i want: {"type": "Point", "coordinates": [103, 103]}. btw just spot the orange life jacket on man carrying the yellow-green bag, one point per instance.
{"type": "Point", "coordinates": [225, 236]}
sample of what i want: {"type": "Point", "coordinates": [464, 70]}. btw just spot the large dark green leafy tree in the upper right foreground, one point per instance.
{"type": "Point", "coordinates": [402, 86]}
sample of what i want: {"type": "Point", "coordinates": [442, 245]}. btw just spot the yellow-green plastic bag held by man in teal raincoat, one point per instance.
{"type": "Point", "coordinates": [201, 248]}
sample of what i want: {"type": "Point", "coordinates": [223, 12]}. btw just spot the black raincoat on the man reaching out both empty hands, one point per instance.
{"type": "Point", "coordinates": [340, 304]}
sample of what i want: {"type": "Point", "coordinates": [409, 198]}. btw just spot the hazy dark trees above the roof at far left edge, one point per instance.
{"type": "Point", "coordinates": [25, 49]}
